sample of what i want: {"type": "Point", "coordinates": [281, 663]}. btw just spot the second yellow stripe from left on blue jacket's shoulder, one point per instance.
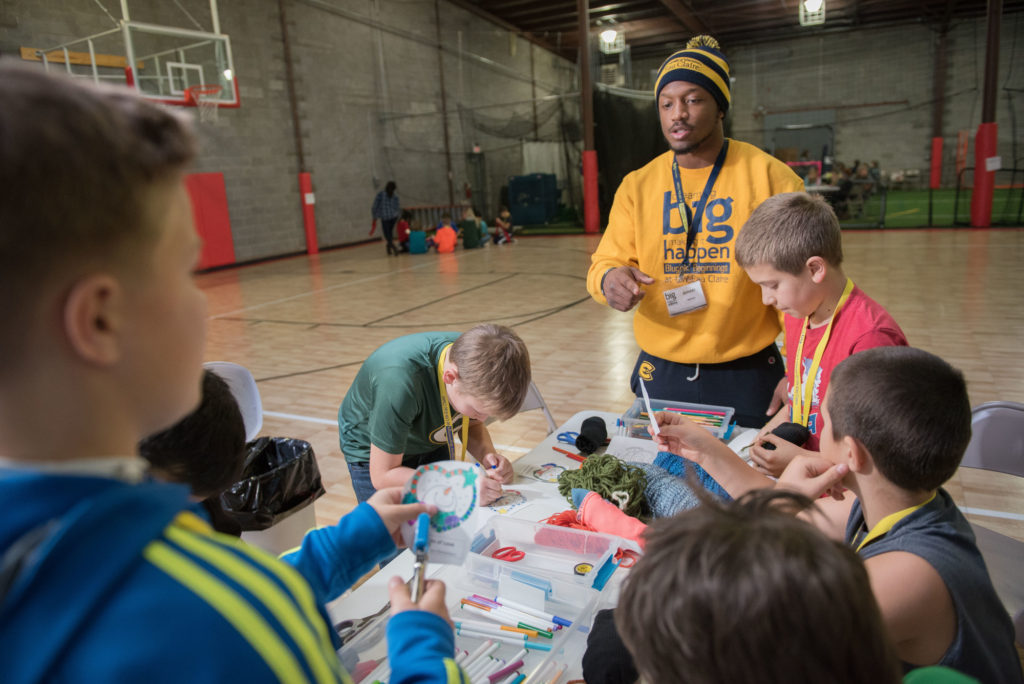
{"type": "Point", "coordinates": [324, 664]}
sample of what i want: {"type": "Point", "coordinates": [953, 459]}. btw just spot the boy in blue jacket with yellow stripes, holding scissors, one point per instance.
{"type": "Point", "coordinates": [104, 577]}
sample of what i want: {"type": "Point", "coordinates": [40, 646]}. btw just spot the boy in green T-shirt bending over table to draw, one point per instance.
{"type": "Point", "coordinates": [415, 393]}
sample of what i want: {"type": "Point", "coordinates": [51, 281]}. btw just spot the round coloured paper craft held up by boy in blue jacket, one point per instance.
{"type": "Point", "coordinates": [454, 488]}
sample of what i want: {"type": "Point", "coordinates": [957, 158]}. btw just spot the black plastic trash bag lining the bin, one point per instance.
{"type": "Point", "coordinates": [280, 477]}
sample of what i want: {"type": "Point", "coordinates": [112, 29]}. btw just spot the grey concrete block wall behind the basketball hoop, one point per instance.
{"type": "Point", "coordinates": [368, 84]}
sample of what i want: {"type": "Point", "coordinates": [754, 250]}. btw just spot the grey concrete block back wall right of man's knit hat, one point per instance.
{"type": "Point", "coordinates": [879, 85]}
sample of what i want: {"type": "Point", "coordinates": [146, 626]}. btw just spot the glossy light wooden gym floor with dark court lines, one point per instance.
{"type": "Point", "coordinates": [304, 326]}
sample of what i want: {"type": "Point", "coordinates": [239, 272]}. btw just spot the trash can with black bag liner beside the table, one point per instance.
{"type": "Point", "coordinates": [273, 503]}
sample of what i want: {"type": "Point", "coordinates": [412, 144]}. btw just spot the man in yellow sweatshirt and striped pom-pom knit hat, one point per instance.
{"type": "Point", "coordinates": [705, 334]}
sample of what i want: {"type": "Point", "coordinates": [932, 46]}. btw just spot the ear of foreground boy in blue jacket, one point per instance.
{"type": "Point", "coordinates": [92, 319]}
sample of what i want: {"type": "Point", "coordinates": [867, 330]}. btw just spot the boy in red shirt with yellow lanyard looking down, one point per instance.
{"type": "Point", "coordinates": [792, 247]}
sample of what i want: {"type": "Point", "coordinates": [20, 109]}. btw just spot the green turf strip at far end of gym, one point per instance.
{"type": "Point", "coordinates": [905, 209]}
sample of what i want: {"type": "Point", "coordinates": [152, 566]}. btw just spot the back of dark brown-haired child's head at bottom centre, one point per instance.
{"type": "Point", "coordinates": [743, 592]}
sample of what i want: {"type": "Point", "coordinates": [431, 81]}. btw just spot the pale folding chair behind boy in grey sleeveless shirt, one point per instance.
{"type": "Point", "coordinates": [998, 444]}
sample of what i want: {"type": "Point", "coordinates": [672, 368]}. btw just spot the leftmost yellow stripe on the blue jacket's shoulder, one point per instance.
{"type": "Point", "coordinates": [240, 615]}
